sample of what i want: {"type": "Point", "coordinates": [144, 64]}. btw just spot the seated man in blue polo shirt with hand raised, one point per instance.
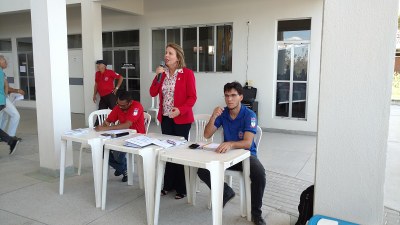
{"type": "Point", "coordinates": [240, 126]}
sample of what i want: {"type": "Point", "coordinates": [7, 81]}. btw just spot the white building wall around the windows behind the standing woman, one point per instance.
{"type": "Point", "coordinates": [263, 16]}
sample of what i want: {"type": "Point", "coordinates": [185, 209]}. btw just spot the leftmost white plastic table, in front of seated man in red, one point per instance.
{"type": "Point", "coordinates": [96, 142]}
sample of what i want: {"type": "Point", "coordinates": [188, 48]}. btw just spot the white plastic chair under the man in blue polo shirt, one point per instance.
{"type": "Point", "coordinates": [239, 174]}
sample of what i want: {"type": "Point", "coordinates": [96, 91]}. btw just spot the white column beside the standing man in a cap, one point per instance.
{"type": "Point", "coordinates": [92, 49]}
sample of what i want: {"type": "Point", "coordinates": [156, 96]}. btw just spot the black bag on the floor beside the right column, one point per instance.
{"type": "Point", "coordinates": [306, 205]}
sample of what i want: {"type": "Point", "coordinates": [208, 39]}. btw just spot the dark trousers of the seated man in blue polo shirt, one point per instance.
{"type": "Point", "coordinates": [257, 178]}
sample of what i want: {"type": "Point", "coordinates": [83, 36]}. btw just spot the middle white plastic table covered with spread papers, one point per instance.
{"type": "Point", "coordinates": [148, 167]}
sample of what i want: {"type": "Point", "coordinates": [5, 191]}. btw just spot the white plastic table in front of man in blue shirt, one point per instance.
{"type": "Point", "coordinates": [216, 163]}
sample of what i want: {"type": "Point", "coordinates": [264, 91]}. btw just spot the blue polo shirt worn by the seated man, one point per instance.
{"type": "Point", "coordinates": [234, 128]}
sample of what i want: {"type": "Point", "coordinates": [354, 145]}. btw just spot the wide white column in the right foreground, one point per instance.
{"type": "Point", "coordinates": [358, 47]}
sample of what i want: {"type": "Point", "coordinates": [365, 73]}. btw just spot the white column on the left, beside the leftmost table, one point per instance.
{"type": "Point", "coordinates": [49, 35]}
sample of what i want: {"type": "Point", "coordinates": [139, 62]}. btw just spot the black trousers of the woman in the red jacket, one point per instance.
{"type": "Point", "coordinates": [174, 177]}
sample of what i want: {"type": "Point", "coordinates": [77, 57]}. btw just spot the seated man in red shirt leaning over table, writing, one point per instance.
{"type": "Point", "coordinates": [130, 115]}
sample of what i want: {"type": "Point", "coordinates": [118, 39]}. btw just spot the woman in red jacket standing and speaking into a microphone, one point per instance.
{"type": "Point", "coordinates": [176, 86]}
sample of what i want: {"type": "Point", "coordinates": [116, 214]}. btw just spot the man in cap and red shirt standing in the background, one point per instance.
{"type": "Point", "coordinates": [104, 85]}
